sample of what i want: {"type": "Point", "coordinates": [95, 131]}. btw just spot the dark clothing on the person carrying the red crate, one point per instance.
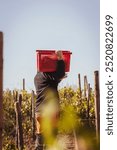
{"type": "Point", "coordinates": [48, 80]}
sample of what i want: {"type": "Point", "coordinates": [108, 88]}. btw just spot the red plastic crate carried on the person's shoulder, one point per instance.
{"type": "Point", "coordinates": [46, 60]}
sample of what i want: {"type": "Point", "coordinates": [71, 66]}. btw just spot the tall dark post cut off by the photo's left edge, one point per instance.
{"type": "Point", "coordinates": [1, 88]}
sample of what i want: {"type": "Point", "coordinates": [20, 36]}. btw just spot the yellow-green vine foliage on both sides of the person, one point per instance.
{"type": "Point", "coordinates": [75, 112]}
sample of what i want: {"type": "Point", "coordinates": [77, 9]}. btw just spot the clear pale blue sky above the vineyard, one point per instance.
{"type": "Point", "coordinates": [49, 24]}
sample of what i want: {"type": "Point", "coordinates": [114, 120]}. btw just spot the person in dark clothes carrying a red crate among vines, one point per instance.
{"type": "Point", "coordinates": [47, 101]}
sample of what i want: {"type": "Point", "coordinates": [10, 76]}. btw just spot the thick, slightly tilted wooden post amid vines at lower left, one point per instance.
{"type": "Point", "coordinates": [19, 125]}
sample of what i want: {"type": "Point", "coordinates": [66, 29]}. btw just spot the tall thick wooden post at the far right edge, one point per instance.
{"type": "Point", "coordinates": [97, 102]}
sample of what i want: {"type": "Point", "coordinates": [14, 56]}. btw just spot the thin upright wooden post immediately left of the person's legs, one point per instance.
{"type": "Point", "coordinates": [33, 116]}
